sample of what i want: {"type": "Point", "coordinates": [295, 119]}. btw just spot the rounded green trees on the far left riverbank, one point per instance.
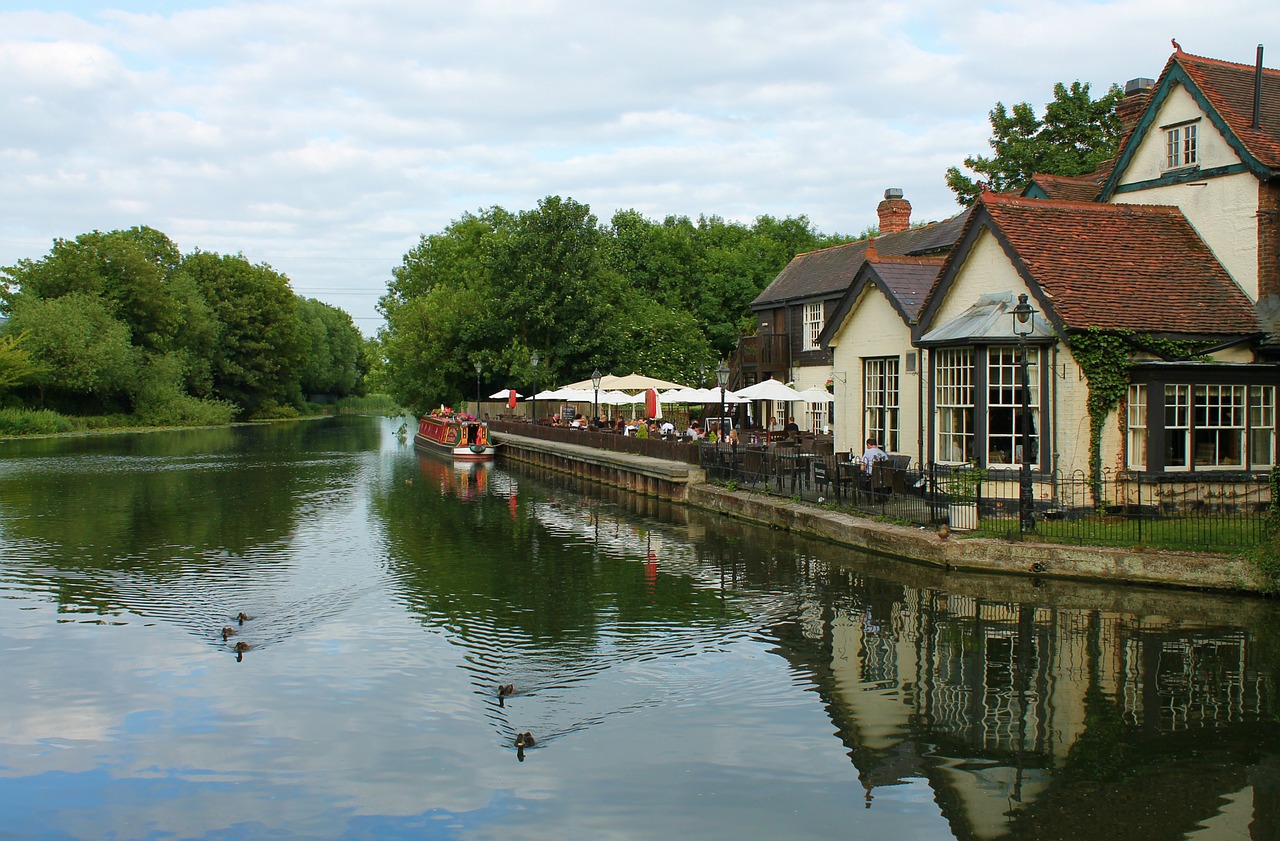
{"type": "Point", "coordinates": [124, 324]}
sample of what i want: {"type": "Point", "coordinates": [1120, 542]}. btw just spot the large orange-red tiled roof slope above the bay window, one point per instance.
{"type": "Point", "coordinates": [1119, 267]}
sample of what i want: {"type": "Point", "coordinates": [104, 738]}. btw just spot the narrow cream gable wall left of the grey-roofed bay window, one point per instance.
{"type": "Point", "coordinates": [874, 328]}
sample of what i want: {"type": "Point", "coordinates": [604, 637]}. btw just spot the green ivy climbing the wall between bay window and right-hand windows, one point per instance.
{"type": "Point", "coordinates": [1107, 359]}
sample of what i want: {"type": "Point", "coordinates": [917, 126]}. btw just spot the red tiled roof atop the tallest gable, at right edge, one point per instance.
{"type": "Point", "coordinates": [1229, 89]}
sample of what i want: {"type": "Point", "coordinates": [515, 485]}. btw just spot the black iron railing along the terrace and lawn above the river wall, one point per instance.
{"type": "Point", "coordinates": [1192, 513]}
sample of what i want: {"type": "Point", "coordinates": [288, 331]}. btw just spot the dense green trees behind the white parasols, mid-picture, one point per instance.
{"type": "Point", "coordinates": [669, 299]}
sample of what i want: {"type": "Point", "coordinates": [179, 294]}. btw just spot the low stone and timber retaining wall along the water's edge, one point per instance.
{"type": "Point", "coordinates": [1044, 561]}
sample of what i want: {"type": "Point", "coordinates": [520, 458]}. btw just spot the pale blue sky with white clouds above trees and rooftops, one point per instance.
{"type": "Point", "coordinates": [326, 138]}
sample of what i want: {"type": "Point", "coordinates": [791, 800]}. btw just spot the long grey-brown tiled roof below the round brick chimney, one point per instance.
{"type": "Point", "coordinates": [831, 271]}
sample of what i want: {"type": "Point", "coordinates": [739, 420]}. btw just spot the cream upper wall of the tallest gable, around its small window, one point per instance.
{"type": "Point", "coordinates": [1223, 209]}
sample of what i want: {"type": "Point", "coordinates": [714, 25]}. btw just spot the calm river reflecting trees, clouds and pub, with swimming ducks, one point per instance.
{"type": "Point", "coordinates": [683, 677]}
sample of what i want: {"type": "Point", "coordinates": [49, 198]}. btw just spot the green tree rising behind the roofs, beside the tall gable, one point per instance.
{"type": "Point", "coordinates": [1077, 135]}
